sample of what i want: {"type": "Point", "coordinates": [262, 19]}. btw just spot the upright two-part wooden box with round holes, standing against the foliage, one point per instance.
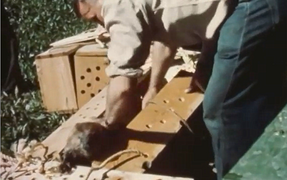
{"type": "Point", "coordinates": [71, 75]}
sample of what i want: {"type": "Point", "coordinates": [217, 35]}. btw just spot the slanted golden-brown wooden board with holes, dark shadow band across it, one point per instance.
{"type": "Point", "coordinates": [152, 129]}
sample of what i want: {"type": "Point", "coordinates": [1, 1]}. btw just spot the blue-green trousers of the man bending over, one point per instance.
{"type": "Point", "coordinates": [247, 88]}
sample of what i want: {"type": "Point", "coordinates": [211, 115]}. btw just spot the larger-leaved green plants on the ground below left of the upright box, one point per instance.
{"type": "Point", "coordinates": [22, 116]}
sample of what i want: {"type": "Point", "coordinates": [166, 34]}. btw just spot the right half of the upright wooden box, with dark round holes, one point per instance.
{"type": "Point", "coordinates": [90, 64]}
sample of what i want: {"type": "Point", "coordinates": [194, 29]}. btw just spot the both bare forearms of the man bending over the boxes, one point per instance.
{"type": "Point", "coordinates": [122, 98]}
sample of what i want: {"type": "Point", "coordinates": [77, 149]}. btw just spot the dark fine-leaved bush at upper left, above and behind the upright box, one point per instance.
{"type": "Point", "coordinates": [38, 23]}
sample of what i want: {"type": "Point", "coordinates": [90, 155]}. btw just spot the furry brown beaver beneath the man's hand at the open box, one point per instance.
{"type": "Point", "coordinates": [85, 144]}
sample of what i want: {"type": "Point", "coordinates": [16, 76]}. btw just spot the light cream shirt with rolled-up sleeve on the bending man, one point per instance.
{"type": "Point", "coordinates": [133, 24]}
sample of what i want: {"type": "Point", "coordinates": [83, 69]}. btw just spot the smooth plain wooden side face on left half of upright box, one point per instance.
{"type": "Point", "coordinates": [56, 83]}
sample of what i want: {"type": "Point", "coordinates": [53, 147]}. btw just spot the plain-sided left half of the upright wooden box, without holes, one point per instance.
{"type": "Point", "coordinates": [55, 70]}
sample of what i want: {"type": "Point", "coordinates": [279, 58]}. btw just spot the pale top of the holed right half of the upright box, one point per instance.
{"type": "Point", "coordinates": [92, 50]}
